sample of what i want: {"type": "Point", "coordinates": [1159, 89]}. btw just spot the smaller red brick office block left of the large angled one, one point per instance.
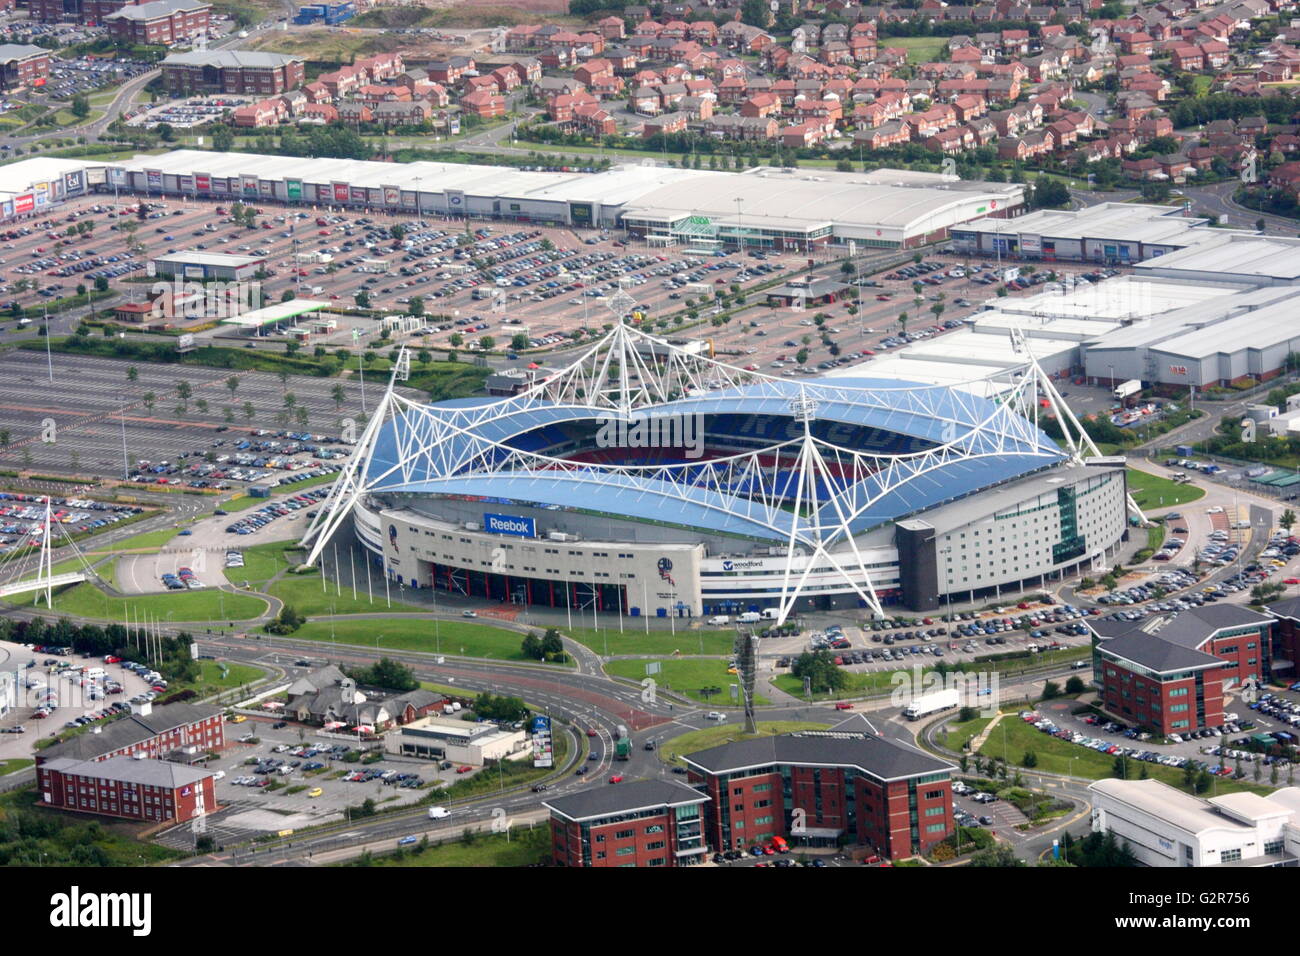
{"type": "Point", "coordinates": [639, 824]}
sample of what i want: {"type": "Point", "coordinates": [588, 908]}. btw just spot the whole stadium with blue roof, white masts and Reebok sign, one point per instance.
{"type": "Point", "coordinates": [648, 481]}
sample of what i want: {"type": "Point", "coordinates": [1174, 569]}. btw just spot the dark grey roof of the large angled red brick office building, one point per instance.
{"type": "Point", "coordinates": [872, 755]}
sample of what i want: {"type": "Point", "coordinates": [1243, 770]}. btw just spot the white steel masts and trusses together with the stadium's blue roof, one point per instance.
{"type": "Point", "coordinates": [630, 374]}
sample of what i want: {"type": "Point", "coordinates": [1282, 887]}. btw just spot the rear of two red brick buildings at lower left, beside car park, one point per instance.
{"type": "Point", "coordinates": [153, 732]}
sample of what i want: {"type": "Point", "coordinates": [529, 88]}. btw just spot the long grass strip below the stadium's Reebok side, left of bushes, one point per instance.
{"type": "Point", "coordinates": [448, 638]}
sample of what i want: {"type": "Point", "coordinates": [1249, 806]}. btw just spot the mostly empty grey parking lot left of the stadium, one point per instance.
{"type": "Point", "coordinates": [96, 409]}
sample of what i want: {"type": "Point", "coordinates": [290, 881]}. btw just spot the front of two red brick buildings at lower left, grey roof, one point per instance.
{"type": "Point", "coordinates": [146, 790]}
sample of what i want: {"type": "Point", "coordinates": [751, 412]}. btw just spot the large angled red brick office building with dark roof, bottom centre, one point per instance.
{"type": "Point", "coordinates": [825, 789]}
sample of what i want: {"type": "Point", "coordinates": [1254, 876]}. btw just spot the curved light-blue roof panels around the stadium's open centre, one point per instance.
{"type": "Point", "coordinates": [457, 464]}
